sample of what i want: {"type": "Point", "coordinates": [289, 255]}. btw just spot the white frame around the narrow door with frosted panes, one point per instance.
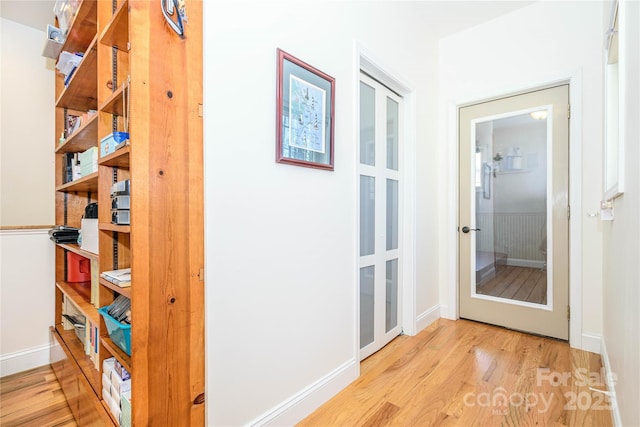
{"type": "Point", "coordinates": [367, 62]}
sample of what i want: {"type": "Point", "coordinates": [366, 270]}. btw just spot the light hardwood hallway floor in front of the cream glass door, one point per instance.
{"type": "Point", "coordinates": [471, 374]}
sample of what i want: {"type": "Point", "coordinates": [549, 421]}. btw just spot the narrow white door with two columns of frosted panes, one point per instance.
{"type": "Point", "coordinates": [380, 225]}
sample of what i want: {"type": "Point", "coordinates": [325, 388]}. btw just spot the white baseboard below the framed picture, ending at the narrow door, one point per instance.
{"type": "Point", "coordinates": [311, 398]}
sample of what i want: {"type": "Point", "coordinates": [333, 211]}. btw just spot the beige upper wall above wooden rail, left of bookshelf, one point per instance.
{"type": "Point", "coordinates": [26, 128]}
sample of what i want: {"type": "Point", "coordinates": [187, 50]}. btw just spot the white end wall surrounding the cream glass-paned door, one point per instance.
{"type": "Point", "coordinates": [540, 43]}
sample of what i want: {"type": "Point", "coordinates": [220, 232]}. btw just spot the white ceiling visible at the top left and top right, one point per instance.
{"type": "Point", "coordinates": [445, 17]}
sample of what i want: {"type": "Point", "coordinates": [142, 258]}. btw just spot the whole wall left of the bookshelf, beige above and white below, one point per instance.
{"type": "Point", "coordinates": [26, 198]}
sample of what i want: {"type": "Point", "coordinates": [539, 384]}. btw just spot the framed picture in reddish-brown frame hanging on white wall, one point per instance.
{"type": "Point", "coordinates": [304, 122]}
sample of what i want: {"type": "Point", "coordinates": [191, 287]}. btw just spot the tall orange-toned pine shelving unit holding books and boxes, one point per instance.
{"type": "Point", "coordinates": [120, 78]}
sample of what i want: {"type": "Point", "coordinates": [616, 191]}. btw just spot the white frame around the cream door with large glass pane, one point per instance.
{"type": "Point", "coordinates": [574, 80]}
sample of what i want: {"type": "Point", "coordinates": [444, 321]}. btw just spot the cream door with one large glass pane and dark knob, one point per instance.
{"type": "Point", "coordinates": [514, 212]}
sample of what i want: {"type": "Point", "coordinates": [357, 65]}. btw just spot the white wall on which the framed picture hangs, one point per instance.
{"type": "Point", "coordinates": [281, 240]}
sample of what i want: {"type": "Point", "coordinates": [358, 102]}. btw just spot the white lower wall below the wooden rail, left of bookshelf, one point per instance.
{"type": "Point", "coordinates": [27, 298]}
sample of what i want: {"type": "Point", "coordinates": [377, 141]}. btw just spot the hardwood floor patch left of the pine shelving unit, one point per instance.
{"type": "Point", "coordinates": [33, 398]}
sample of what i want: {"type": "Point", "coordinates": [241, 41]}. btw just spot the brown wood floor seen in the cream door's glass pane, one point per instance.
{"type": "Point", "coordinates": [519, 283]}
